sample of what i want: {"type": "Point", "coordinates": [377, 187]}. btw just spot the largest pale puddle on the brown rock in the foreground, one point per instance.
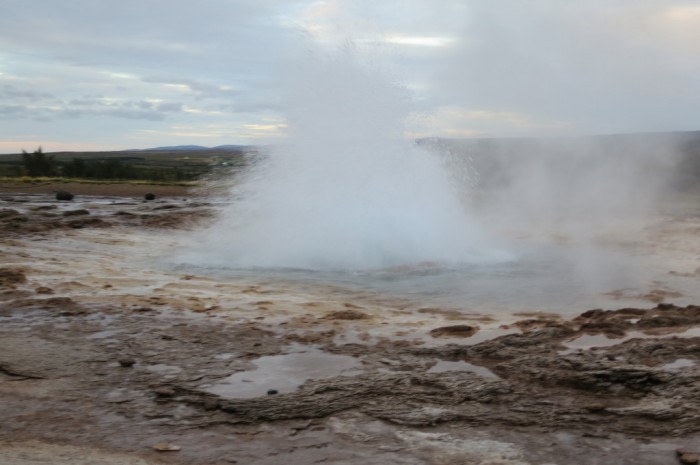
{"type": "Point", "coordinates": [284, 373]}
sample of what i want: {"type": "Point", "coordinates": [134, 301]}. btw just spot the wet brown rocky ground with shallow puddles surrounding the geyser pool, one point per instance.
{"type": "Point", "coordinates": [108, 359]}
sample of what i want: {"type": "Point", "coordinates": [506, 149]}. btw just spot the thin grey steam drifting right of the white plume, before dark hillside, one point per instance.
{"type": "Point", "coordinates": [576, 188]}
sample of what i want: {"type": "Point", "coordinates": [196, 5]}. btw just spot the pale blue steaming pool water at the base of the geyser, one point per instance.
{"type": "Point", "coordinates": [560, 279]}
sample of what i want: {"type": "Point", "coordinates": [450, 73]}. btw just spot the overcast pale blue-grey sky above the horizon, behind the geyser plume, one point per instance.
{"type": "Point", "coordinates": [101, 74]}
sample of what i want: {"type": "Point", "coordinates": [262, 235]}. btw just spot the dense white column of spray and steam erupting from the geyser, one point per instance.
{"type": "Point", "coordinates": [347, 189]}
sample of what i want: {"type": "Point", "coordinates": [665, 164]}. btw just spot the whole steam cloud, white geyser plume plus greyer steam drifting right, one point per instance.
{"type": "Point", "coordinates": [347, 189]}
